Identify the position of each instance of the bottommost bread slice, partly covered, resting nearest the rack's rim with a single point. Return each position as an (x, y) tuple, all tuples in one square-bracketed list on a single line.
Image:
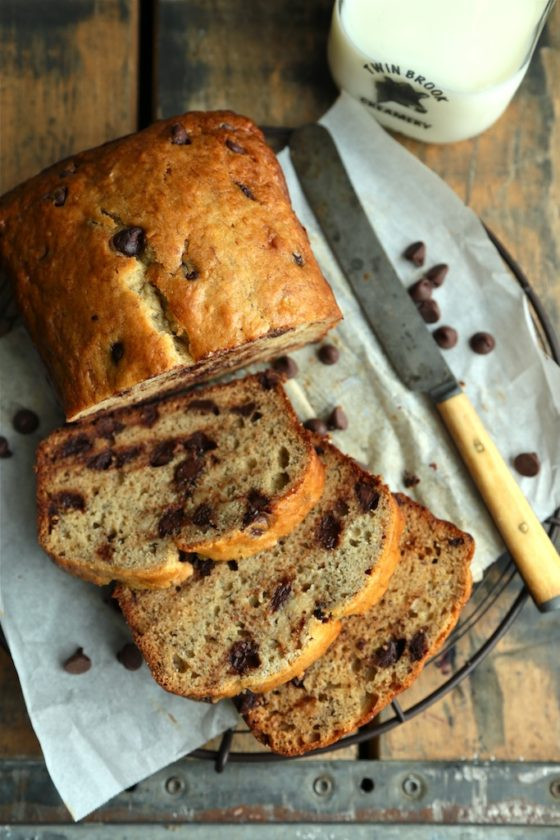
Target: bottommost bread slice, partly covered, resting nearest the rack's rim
[(379, 654)]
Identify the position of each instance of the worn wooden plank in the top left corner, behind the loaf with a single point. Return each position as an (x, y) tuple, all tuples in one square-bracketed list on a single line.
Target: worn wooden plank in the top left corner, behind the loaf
[(69, 79)]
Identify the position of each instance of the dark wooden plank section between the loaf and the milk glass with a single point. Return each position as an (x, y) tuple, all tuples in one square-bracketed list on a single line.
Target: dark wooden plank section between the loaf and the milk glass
[(266, 60)]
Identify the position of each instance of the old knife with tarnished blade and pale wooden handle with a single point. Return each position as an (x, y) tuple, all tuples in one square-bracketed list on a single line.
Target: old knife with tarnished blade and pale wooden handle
[(416, 358)]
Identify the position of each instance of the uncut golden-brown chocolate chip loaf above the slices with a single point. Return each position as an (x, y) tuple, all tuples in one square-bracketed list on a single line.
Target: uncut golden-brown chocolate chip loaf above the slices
[(161, 259)]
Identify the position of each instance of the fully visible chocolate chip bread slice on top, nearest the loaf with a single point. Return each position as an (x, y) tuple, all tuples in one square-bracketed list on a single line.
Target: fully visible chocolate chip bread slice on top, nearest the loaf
[(223, 471)]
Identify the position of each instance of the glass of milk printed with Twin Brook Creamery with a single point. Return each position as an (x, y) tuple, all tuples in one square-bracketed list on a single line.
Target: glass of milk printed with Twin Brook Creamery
[(437, 70)]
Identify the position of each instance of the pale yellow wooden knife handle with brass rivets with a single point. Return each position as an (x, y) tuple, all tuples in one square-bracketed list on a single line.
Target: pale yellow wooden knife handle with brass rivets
[(523, 534)]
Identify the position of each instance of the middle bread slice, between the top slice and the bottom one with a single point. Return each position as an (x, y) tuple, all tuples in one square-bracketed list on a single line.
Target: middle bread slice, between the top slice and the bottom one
[(255, 623)]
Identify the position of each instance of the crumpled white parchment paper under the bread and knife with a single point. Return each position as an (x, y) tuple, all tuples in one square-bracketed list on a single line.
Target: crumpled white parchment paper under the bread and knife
[(105, 730)]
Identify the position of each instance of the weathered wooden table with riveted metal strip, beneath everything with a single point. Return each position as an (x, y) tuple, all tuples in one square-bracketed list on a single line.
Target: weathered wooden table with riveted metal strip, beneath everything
[(76, 73)]
